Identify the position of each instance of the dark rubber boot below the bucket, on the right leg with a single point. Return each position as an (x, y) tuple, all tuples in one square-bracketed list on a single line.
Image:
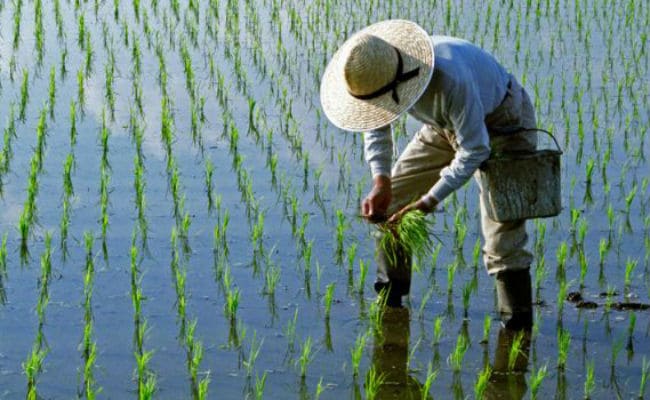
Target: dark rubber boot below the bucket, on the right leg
[(514, 297)]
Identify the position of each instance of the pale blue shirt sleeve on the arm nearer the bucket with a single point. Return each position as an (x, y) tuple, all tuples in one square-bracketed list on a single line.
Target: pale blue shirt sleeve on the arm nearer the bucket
[(466, 116)]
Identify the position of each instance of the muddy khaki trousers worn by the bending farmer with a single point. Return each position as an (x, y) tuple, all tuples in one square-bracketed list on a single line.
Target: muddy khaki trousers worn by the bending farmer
[(418, 169)]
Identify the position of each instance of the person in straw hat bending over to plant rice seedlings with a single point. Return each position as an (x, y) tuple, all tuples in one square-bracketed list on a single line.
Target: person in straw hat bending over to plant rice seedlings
[(467, 103)]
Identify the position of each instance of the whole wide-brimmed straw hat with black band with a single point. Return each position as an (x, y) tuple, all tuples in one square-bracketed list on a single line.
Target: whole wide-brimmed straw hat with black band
[(363, 87)]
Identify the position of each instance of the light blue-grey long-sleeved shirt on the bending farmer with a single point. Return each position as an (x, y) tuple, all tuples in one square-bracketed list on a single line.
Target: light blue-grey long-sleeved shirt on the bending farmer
[(467, 84)]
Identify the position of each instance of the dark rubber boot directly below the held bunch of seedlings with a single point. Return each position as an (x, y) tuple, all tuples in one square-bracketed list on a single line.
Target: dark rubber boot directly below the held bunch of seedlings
[(393, 273)]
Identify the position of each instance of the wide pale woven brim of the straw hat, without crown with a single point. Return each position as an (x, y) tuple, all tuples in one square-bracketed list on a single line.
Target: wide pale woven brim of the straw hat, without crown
[(352, 114)]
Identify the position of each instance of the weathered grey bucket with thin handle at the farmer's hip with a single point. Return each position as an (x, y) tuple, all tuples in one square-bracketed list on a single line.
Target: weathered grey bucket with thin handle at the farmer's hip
[(522, 185)]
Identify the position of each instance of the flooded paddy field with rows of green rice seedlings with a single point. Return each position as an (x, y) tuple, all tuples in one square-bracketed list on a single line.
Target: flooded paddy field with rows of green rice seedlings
[(179, 219)]
